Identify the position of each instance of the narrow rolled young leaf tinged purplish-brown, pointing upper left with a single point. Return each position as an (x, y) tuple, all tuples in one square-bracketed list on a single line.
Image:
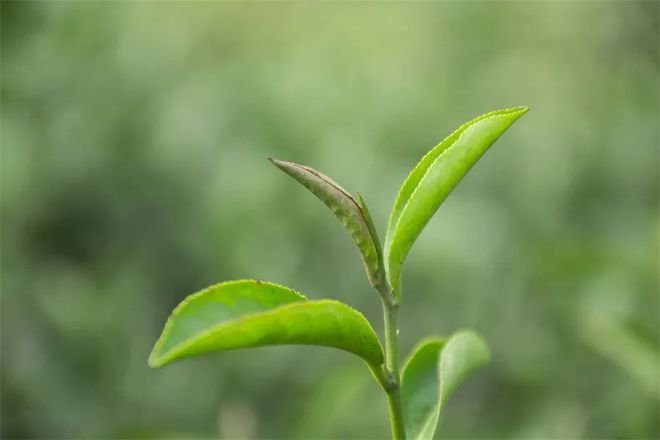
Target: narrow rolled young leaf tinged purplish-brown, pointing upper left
[(346, 208)]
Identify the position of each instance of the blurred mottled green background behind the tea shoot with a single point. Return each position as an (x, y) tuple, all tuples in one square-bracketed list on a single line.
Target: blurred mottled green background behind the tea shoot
[(134, 138)]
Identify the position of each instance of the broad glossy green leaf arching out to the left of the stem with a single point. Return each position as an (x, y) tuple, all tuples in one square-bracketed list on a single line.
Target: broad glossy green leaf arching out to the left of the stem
[(247, 313)]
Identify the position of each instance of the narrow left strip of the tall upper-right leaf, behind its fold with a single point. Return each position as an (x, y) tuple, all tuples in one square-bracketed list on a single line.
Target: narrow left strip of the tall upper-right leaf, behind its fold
[(412, 181)]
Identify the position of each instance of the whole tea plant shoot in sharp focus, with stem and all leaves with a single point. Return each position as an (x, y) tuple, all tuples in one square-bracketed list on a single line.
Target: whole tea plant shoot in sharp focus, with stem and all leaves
[(251, 313)]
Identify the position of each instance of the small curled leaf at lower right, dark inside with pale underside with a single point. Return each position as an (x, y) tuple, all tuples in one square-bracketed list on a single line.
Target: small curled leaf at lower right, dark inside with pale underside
[(434, 370)]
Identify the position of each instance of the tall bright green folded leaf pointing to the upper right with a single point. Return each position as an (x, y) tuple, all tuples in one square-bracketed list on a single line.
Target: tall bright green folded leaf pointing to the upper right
[(434, 177)]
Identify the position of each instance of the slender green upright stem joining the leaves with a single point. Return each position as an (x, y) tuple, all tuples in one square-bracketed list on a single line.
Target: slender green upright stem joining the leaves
[(390, 318)]
